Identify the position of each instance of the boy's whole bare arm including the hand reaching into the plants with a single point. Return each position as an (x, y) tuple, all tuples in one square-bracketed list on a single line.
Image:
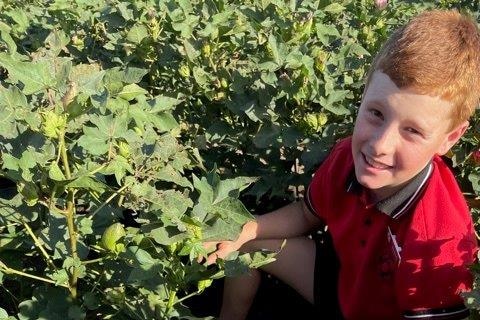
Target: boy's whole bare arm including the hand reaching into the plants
[(290, 221)]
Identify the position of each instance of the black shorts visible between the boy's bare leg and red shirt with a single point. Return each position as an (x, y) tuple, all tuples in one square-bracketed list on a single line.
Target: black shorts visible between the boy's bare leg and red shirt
[(326, 278)]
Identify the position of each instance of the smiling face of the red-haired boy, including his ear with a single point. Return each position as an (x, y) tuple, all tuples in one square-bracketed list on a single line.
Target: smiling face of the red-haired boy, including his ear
[(397, 132)]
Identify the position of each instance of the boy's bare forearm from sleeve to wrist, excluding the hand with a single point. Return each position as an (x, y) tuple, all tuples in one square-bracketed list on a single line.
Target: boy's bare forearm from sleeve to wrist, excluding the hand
[(289, 221)]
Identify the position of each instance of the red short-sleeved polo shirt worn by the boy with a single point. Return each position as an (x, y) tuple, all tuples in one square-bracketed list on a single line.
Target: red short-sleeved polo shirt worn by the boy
[(405, 257)]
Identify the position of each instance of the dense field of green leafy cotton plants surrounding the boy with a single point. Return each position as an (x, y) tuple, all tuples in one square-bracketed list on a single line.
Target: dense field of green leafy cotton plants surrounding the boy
[(132, 131)]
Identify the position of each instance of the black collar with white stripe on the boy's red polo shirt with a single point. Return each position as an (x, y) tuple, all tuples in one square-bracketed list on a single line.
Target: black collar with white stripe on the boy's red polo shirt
[(398, 203)]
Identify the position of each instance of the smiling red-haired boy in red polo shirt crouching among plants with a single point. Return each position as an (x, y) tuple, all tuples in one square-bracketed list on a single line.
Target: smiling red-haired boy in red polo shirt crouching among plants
[(402, 238)]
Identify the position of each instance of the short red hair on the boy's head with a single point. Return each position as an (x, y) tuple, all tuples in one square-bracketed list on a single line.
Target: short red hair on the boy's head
[(436, 53)]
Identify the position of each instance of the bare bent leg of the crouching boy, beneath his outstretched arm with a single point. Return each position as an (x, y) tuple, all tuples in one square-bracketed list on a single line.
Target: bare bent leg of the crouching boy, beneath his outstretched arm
[(294, 266)]
